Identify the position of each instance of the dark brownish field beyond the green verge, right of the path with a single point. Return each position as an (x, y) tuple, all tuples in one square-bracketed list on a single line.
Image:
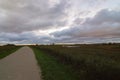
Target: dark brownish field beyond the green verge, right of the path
[(88, 62)]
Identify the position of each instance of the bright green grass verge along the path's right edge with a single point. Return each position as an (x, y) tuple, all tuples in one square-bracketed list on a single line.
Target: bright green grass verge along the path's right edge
[(51, 68)]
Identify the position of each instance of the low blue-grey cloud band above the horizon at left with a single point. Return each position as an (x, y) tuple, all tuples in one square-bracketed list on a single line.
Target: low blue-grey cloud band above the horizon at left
[(25, 37)]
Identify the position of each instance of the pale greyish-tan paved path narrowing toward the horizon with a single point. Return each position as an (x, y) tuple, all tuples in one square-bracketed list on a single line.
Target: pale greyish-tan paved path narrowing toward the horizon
[(20, 65)]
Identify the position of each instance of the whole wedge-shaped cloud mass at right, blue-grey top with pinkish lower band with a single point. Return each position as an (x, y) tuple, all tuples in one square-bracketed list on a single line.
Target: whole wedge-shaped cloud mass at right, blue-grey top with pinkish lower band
[(104, 25)]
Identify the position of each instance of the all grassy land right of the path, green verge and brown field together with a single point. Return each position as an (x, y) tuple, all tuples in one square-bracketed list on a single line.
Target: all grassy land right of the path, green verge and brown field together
[(86, 62)]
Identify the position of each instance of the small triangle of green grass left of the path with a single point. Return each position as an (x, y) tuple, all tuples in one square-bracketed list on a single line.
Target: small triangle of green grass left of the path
[(6, 50)]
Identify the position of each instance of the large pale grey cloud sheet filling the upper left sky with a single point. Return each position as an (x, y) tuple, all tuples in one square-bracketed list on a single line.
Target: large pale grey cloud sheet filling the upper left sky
[(28, 15)]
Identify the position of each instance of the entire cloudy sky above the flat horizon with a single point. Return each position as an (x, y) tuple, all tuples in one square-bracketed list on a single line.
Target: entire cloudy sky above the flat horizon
[(59, 21)]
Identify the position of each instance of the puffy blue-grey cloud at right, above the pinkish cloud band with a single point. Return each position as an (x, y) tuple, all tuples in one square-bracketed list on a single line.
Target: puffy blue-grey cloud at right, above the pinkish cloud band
[(105, 16)]
